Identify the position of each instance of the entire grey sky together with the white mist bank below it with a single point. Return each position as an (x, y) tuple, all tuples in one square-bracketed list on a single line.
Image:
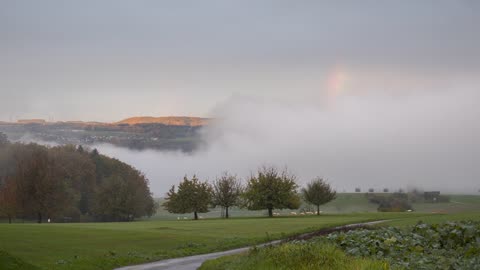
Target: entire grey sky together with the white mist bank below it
[(371, 93)]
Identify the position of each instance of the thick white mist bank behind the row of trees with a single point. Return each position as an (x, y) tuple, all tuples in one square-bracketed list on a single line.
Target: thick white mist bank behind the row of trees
[(427, 140)]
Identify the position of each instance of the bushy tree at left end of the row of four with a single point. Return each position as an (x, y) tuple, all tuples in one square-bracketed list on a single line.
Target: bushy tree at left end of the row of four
[(192, 196)]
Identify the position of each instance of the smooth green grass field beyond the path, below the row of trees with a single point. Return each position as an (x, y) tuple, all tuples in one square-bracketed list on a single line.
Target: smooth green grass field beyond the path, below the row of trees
[(108, 245)]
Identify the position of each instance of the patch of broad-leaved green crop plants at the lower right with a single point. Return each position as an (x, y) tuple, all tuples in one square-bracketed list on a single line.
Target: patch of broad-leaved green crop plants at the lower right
[(452, 245)]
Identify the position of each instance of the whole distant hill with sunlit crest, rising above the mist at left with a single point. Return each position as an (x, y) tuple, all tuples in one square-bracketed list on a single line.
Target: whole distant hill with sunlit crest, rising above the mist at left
[(174, 133)]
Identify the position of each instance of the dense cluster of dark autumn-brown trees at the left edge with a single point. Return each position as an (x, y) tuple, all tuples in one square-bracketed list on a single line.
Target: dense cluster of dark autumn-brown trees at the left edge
[(68, 183)]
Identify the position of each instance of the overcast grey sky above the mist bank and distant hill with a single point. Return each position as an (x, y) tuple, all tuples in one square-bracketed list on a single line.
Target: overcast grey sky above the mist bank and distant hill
[(107, 60)]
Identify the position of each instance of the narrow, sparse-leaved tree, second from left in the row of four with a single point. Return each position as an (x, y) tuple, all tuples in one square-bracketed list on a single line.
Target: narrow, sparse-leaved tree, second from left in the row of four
[(226, 192)]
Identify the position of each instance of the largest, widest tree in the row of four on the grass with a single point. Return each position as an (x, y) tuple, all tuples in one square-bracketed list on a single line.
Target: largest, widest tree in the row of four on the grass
[(271, 189)]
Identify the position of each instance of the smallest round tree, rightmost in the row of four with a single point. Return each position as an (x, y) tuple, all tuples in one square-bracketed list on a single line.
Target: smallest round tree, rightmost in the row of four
[(318, 192)]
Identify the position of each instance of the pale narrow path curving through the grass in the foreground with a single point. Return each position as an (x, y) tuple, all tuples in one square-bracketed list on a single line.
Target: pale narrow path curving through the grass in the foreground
[(194, 262)]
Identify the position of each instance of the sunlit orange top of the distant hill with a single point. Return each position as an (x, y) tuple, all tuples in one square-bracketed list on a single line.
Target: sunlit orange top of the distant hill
[(169, 121)]
